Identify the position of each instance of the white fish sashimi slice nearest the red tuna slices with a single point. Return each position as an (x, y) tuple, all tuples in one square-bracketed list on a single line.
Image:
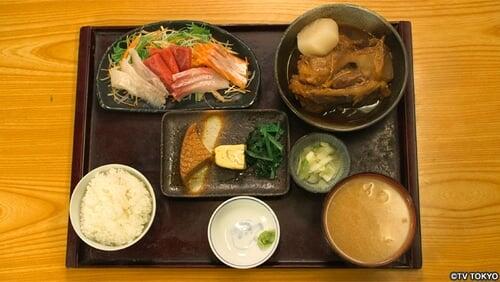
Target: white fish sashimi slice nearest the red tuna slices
[(145, 90)]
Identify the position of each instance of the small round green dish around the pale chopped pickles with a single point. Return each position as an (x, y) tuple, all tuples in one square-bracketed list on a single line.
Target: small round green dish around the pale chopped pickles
[(314, 138)]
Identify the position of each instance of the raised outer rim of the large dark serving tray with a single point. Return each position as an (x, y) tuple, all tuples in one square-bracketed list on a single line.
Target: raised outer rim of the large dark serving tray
[(80, 150)]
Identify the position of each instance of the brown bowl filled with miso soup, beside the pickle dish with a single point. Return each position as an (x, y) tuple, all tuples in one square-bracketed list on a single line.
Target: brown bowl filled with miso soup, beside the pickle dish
[(370, 235)]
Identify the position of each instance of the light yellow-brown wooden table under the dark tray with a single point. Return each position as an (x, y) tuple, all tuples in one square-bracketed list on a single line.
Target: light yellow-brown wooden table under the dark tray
[(457, 79)]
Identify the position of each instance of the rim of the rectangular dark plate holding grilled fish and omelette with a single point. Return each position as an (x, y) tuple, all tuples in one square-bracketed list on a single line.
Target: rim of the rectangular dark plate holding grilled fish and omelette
[(211, 196)]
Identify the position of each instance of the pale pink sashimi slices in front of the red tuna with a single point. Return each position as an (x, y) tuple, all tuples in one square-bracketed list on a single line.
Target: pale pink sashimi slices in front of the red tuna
[(196, 80)]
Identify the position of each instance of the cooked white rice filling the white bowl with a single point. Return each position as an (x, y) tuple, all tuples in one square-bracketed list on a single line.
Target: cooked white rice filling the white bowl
[(115, 208)]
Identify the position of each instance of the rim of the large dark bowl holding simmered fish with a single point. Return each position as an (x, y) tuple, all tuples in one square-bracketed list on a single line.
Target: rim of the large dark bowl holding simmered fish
[(331, 127)]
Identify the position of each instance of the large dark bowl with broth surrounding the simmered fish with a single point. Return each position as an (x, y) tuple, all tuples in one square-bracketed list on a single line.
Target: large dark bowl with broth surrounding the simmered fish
[(287, 55)]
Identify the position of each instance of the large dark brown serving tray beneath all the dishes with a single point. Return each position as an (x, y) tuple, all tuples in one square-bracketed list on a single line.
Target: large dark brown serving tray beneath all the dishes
[(178, 236)]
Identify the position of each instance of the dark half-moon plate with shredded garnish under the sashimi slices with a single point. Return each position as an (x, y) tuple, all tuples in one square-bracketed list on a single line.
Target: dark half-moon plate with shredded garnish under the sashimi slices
[(231, 97)]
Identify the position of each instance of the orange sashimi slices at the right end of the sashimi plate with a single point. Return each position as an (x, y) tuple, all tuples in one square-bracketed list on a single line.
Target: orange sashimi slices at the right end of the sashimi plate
[(223, 62)]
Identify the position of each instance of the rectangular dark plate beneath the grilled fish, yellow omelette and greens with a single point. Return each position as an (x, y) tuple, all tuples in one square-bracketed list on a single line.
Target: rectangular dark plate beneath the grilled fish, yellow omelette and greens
[(237, 124)]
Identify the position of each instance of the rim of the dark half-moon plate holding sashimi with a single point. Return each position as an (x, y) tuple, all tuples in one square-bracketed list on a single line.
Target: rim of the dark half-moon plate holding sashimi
[(158, 110)]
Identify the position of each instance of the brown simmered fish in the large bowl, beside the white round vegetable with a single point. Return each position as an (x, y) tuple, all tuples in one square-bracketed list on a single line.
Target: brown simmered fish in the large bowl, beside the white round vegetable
[(357, 67)]
